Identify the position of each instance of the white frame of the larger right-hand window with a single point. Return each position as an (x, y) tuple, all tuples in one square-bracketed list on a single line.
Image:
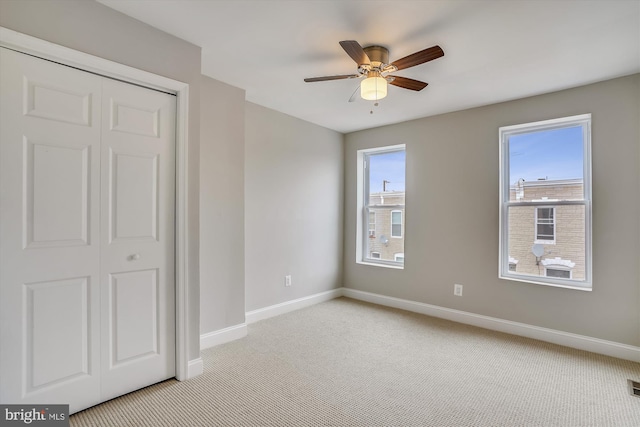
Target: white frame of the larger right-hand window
[(584, 121)]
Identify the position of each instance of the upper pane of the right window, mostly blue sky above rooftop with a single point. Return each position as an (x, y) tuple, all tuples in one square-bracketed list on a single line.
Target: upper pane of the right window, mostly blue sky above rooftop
[(540, 162)]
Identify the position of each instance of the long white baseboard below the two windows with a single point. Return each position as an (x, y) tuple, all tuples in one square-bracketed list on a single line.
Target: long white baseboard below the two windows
[(580, 342)]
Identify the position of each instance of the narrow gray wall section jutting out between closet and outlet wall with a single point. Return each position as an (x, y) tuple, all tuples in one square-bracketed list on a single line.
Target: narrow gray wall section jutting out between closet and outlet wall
[(221, 206)]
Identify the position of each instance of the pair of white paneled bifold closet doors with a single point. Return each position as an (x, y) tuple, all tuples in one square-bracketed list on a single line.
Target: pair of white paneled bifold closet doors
[(86, 235)]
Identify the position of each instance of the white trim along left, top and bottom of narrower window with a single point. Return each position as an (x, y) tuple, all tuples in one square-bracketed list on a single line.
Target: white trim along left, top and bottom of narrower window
[(362, 224)]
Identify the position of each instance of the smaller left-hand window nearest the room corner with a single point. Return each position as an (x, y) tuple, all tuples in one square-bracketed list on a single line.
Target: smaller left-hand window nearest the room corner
[(381, 199)]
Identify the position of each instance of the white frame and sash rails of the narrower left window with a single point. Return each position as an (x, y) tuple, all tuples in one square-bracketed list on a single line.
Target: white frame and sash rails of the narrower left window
[(362, 217)]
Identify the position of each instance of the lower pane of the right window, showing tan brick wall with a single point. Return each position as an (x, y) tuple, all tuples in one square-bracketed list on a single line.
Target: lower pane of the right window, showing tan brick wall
[(567, 250)]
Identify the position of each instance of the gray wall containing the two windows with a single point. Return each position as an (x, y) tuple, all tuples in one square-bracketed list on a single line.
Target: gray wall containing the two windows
[(452, 214)]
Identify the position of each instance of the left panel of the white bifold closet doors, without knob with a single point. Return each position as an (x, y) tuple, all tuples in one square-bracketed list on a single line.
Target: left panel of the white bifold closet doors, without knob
[(49, 232)]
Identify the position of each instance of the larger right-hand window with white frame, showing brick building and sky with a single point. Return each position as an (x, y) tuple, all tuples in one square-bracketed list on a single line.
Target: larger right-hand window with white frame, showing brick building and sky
[(545, 202)]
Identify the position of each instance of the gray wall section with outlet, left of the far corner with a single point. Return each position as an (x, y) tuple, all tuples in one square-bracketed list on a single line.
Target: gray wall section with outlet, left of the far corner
[(293, 207)]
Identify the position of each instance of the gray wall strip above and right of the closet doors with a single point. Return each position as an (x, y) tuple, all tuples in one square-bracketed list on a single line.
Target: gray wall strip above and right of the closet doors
[(92, 28)]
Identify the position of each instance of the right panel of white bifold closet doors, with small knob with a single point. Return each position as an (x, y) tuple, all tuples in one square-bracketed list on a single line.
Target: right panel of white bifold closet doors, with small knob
[(137, 266)]
